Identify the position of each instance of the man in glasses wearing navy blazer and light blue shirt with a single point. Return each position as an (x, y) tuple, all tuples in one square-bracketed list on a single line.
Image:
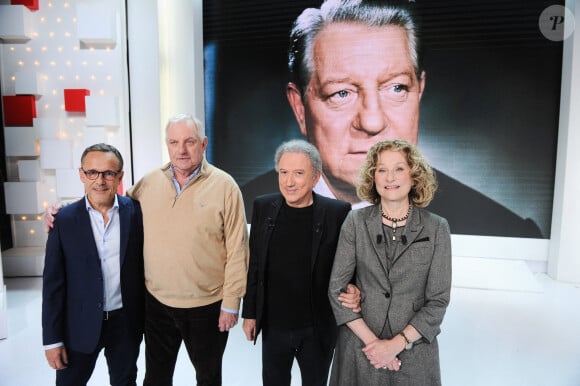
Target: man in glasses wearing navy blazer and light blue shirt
[(93, 281)]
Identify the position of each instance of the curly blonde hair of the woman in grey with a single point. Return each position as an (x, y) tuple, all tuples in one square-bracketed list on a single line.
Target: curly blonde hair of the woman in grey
[(424, 181)]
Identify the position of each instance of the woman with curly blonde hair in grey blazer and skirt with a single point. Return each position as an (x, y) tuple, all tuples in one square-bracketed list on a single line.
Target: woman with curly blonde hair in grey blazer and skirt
[(400, 255)]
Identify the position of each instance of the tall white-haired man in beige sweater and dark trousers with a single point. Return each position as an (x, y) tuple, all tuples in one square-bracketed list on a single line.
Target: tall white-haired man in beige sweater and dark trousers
[(196, 256)]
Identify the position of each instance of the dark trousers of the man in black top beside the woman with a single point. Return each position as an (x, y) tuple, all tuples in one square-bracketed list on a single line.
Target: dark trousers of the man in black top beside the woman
[(280, 347)]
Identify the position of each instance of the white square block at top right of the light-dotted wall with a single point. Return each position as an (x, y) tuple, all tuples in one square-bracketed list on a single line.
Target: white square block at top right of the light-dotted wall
[(96, 26)]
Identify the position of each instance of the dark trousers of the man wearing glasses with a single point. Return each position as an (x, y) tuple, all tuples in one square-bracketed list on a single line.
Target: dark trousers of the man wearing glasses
[(121, 351)]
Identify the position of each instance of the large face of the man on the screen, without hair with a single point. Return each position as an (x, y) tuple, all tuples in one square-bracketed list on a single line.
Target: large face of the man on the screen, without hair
[(363, 89)]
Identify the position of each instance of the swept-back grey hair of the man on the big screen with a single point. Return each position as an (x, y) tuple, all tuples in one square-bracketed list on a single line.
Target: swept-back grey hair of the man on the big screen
[(366, 12)]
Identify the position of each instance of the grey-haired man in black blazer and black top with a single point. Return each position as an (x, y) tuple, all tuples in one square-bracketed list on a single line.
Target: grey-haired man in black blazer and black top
[(293, 240)]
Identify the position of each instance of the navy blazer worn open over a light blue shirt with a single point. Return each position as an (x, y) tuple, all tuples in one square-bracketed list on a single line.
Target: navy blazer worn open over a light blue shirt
[(72, 293)]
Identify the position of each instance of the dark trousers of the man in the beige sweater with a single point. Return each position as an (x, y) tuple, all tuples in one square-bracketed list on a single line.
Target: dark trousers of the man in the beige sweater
[(165, 329)]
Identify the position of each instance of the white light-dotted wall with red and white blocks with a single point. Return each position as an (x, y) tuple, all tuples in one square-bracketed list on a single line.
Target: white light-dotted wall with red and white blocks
[(63, 66)]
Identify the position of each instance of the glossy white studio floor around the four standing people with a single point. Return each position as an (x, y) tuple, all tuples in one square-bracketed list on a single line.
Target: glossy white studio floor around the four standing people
[(497, 332)]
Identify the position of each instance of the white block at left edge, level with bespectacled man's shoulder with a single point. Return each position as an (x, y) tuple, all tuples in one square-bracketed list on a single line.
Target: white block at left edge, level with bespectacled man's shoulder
[(23, 197)]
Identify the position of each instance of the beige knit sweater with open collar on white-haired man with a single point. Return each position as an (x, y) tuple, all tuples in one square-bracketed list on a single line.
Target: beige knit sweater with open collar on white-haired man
[(196, 243)]
